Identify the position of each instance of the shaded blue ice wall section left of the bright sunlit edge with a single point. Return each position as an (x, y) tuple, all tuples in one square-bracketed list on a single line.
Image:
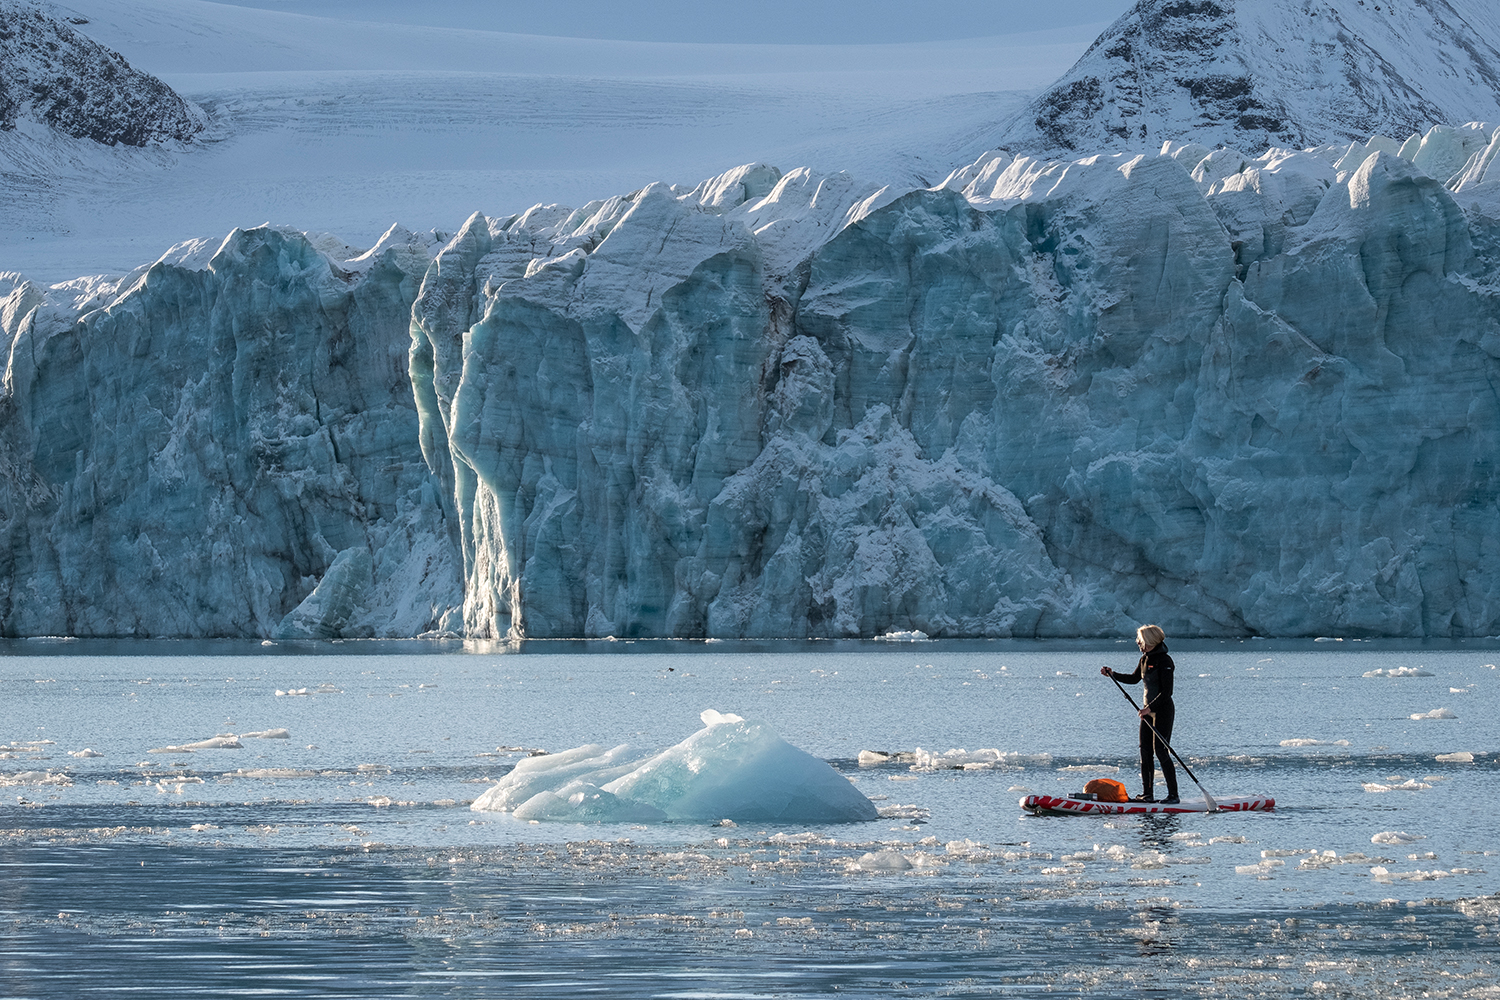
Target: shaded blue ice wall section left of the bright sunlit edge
[(221, 445)]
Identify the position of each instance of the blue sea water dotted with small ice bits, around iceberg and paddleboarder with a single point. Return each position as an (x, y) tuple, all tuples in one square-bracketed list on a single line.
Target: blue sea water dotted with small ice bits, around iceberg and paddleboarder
[(341, 860)]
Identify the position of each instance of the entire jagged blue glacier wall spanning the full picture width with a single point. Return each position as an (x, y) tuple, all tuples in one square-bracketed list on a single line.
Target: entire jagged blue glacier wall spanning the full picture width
[(1229, 395)]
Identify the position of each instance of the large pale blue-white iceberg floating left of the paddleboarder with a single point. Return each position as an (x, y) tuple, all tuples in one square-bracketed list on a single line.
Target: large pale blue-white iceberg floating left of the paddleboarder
[(731, 770)]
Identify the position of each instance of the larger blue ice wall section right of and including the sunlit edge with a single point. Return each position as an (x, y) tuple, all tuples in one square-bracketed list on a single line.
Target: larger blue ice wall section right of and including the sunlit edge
[(1231, 395)]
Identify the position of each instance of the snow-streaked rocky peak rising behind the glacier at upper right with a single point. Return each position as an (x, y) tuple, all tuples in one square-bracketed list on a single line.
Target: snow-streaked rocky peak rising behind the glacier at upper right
[(1270, 73)]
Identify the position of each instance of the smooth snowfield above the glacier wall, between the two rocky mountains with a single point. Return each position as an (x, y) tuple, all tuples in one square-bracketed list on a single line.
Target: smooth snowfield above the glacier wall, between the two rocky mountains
[(350, 127)]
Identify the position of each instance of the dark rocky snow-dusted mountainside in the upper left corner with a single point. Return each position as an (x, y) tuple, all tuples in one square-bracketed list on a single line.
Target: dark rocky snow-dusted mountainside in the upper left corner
[(53, 76)]
